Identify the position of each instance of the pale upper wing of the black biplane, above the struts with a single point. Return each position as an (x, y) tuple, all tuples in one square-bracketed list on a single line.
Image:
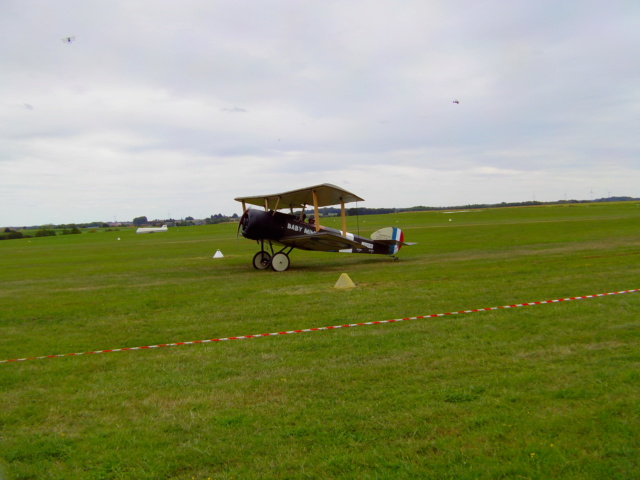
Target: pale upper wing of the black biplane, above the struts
[(327, 195)]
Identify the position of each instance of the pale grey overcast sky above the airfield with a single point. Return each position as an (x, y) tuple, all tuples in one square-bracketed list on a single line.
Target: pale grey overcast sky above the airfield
[(174, 108)]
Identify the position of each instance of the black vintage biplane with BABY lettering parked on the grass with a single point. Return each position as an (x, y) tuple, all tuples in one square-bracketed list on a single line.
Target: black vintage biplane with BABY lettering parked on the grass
[(269, 227)]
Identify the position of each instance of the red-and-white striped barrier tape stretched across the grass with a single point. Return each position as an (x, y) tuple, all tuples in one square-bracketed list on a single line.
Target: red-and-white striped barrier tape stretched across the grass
[(316, 329)]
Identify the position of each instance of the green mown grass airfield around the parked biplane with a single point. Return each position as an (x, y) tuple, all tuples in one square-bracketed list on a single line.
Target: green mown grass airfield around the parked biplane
[(548, 391)]
